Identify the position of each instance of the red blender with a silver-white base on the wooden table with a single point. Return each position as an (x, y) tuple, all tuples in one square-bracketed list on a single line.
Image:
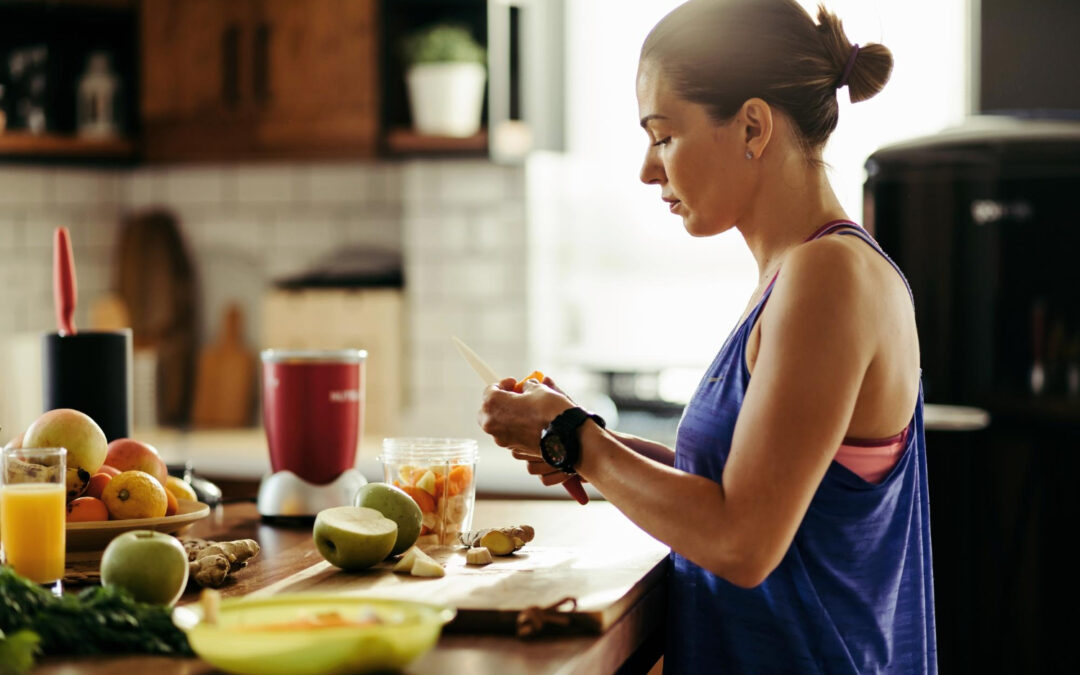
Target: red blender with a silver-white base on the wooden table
[(313, 411)]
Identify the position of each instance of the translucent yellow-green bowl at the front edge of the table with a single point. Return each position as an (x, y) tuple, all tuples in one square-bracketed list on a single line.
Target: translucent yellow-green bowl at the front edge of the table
[(237, 644)]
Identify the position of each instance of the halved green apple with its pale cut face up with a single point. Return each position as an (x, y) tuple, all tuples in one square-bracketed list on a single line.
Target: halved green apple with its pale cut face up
[(354, 538)]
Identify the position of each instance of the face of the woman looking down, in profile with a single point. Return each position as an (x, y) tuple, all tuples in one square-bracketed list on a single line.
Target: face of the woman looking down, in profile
[(701, 167)]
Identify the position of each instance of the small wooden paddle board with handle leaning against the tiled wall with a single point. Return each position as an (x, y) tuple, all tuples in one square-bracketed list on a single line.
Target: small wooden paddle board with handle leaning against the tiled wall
[(225, 381)]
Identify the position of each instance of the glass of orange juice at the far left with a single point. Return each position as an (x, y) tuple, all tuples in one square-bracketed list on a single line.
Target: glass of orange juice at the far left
[(33, 512)]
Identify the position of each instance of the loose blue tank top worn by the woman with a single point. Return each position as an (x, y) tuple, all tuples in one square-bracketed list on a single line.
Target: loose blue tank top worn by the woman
[(855, 591)]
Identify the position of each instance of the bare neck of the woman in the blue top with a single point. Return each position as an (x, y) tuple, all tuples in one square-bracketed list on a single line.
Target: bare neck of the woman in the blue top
[(793, 201)]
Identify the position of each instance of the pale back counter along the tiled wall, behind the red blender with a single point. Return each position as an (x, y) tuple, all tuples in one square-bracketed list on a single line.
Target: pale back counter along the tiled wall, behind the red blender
[(241, 456)]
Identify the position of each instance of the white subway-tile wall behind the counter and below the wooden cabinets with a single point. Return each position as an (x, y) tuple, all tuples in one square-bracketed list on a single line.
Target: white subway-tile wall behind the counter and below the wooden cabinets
[(461, 226)]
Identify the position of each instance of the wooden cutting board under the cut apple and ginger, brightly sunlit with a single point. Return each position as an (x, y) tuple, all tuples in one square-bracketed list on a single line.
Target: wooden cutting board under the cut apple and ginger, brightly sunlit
[(617, 566)]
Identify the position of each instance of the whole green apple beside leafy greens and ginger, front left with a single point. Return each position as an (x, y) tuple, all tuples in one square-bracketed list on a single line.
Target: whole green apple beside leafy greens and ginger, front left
[(153, 566)]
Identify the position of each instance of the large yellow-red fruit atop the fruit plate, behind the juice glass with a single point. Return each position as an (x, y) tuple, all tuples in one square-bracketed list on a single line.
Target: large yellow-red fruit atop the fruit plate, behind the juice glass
[(83, 438)]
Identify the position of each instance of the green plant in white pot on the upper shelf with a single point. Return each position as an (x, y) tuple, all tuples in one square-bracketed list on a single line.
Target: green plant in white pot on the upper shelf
[(445, 77)]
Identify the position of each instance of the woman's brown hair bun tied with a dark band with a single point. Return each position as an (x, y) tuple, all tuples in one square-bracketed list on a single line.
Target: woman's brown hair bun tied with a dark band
[(871, 69)]
